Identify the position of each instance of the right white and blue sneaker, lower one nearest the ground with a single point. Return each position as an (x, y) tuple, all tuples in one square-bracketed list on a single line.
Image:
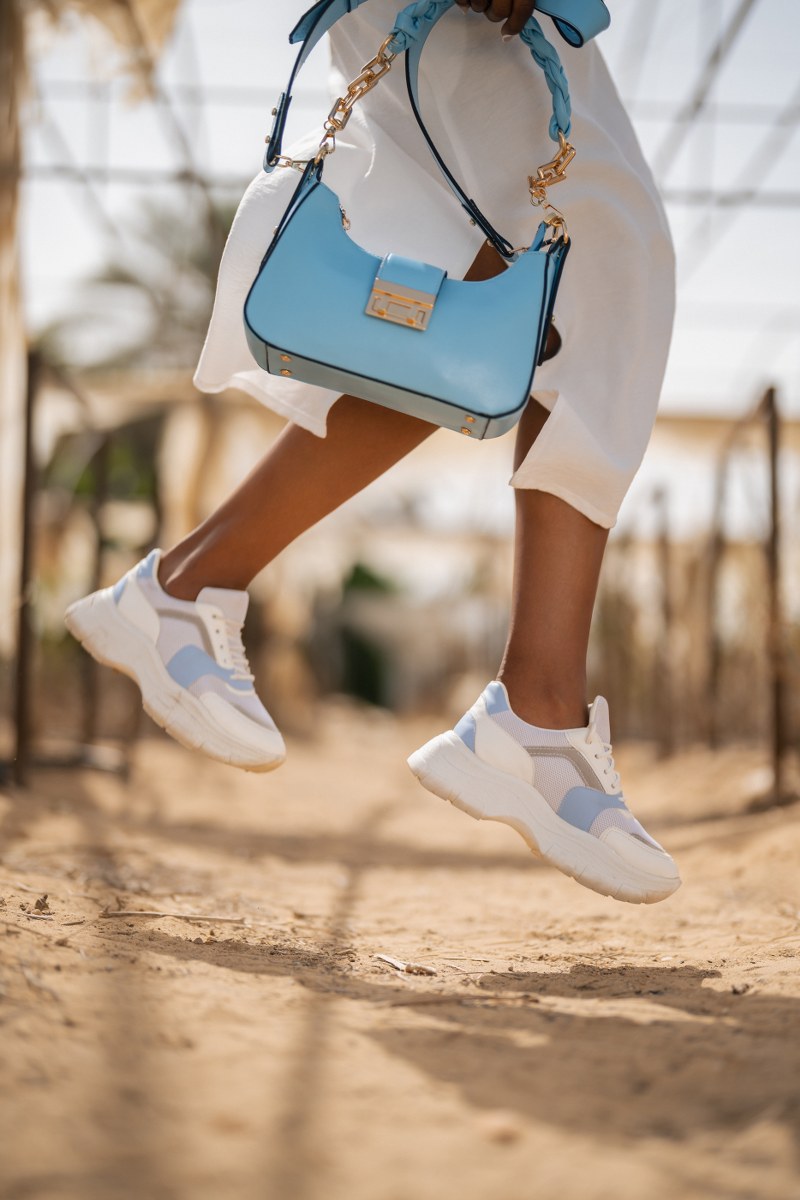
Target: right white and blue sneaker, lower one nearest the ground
[(557, 788)]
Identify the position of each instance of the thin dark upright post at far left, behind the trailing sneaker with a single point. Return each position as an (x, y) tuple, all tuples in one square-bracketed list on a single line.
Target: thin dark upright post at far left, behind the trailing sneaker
[(25, 626)]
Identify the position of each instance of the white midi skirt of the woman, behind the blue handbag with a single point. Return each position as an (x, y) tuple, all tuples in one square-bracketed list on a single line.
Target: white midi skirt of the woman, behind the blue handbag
[(488, 107)]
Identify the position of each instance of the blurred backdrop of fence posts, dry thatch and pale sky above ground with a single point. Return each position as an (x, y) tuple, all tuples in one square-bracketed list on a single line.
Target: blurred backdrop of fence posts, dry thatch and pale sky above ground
[(130, 134)]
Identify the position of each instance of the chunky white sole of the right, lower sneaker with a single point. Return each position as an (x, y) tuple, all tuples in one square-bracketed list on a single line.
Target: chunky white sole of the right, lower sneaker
[(450, 770)]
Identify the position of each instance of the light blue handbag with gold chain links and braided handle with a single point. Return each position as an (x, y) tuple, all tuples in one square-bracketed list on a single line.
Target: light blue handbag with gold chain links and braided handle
[(394, 331)]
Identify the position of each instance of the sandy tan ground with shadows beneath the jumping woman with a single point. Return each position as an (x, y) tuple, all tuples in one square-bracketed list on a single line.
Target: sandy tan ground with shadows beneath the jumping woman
[(568, 1046)]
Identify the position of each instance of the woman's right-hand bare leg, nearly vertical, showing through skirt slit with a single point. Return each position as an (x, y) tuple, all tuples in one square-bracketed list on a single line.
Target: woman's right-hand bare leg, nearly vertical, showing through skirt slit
[(558, 555)]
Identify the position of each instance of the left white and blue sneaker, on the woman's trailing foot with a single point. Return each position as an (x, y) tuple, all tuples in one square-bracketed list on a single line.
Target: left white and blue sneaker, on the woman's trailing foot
[(188, 658)]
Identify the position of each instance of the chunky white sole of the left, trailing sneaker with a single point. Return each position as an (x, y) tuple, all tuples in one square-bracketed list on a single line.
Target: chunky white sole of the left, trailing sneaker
[(115, 641)]
